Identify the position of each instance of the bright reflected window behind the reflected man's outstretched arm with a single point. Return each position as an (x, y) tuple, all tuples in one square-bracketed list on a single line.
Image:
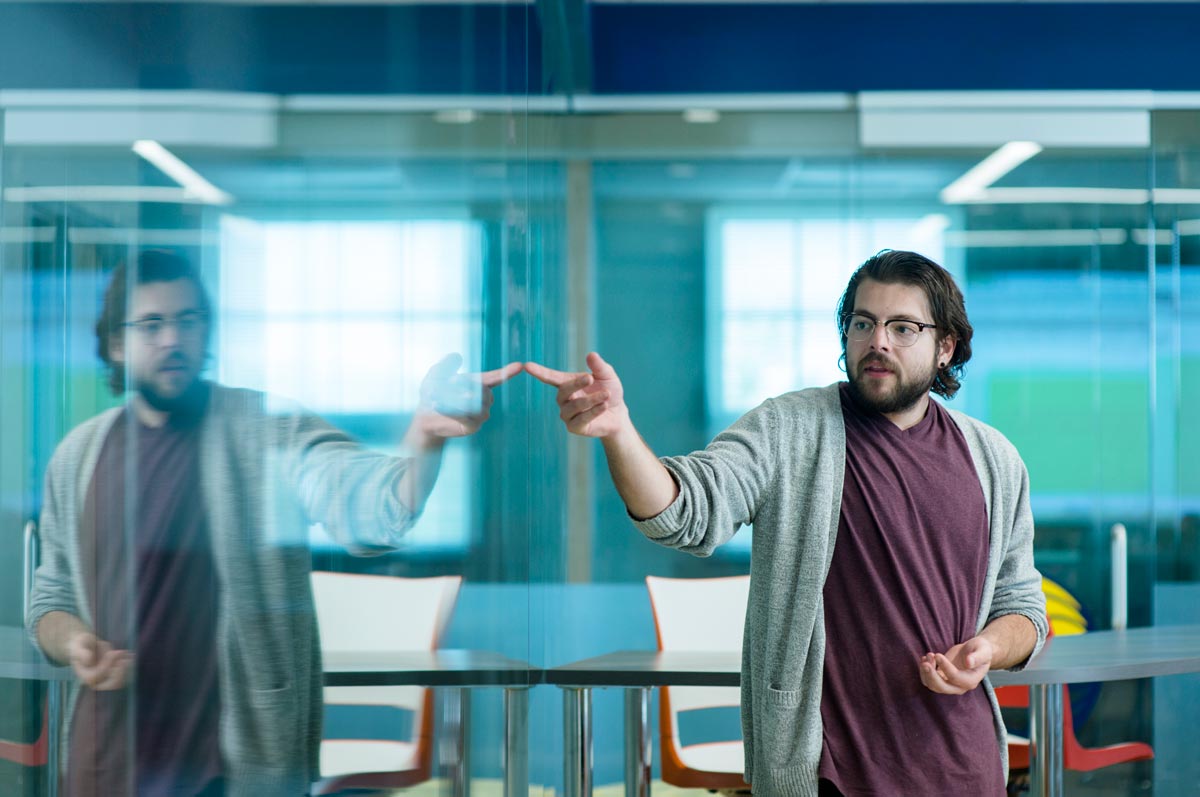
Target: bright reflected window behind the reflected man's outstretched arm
[(347, 317)]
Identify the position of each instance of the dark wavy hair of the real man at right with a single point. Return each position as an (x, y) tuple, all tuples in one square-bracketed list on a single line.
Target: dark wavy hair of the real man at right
[(895, 267)]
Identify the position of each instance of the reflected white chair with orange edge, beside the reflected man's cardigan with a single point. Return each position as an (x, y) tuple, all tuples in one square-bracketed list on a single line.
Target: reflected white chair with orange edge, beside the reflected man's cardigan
[(365, 614)]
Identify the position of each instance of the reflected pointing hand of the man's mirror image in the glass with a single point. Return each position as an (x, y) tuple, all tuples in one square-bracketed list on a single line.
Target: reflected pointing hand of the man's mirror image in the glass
[(458, 405)]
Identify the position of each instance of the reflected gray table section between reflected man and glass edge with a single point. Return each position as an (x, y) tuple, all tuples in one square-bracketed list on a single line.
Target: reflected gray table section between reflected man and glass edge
[(457, 672)]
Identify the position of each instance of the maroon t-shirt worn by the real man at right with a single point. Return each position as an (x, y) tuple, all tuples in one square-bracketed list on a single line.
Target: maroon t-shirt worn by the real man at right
[(907, 579)]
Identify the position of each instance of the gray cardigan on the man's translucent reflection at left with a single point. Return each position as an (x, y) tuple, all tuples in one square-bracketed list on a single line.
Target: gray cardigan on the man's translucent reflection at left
[(267, 474)]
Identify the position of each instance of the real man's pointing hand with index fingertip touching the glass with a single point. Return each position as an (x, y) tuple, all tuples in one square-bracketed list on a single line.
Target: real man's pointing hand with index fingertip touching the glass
[(591, 404)]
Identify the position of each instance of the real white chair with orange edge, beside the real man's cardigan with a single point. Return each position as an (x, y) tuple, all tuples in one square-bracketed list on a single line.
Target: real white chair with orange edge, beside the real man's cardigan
[(699, 615)]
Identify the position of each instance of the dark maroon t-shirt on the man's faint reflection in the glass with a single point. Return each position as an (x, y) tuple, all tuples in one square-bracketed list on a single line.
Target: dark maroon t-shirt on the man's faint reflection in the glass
[(153, 589)]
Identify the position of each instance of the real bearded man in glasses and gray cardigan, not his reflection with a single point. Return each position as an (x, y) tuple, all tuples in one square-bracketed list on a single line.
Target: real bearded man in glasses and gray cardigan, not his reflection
[(892, 564)]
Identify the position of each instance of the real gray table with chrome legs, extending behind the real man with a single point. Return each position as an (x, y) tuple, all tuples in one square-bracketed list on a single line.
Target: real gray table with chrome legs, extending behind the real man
[(1097, 656)]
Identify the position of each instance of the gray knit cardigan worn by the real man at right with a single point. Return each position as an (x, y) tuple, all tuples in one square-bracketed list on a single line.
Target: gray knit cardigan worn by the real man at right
[(782, 468)]
